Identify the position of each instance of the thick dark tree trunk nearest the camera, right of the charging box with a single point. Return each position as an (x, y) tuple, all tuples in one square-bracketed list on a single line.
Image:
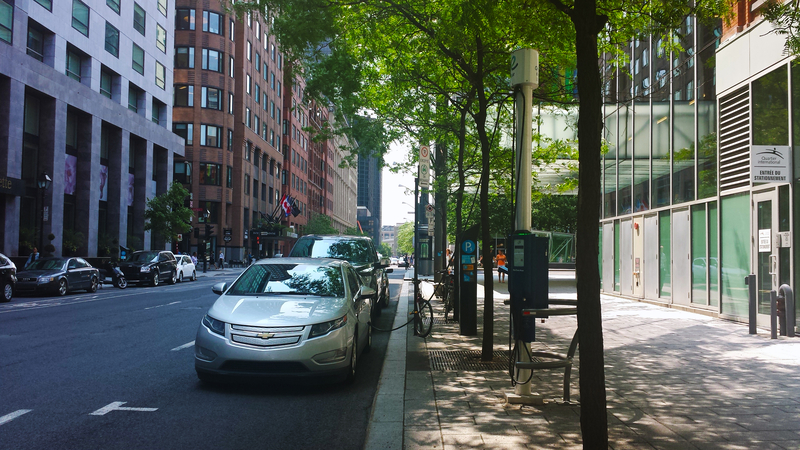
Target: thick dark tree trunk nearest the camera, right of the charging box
[(594, 421)]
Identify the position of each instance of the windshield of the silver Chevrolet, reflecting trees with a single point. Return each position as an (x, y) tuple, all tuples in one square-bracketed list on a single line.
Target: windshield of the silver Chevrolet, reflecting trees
[(293, 279)]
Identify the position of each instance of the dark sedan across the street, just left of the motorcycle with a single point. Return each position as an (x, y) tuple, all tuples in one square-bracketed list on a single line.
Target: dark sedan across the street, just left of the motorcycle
[(57, 275)]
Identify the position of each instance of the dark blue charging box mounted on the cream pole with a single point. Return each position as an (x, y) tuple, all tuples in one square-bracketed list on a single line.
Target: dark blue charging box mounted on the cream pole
[(528, 265)]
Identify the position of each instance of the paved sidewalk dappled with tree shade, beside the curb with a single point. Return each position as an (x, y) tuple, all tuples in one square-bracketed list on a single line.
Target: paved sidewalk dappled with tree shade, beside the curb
[(674, 380)]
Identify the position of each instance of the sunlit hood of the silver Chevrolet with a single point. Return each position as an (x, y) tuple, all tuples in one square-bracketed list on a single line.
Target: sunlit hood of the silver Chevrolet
[(277, 310)]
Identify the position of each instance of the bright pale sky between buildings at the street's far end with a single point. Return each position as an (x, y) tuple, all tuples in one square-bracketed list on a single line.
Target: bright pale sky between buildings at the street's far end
[(393, 211)]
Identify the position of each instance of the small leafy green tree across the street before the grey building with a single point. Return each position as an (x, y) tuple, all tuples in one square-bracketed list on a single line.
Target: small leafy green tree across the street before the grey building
[(166, 216)]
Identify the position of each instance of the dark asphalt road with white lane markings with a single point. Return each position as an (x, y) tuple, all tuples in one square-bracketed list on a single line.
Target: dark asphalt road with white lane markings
[(115, 370)]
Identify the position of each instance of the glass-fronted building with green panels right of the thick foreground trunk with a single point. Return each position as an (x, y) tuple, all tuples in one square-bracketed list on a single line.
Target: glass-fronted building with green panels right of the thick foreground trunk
[(683, 221)]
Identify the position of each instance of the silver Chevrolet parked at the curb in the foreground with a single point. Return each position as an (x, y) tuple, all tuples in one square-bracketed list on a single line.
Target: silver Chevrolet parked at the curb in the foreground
[(287, 317)]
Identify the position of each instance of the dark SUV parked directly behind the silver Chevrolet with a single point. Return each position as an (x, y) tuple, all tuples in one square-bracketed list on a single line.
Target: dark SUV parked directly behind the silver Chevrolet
[(357, 250)]
